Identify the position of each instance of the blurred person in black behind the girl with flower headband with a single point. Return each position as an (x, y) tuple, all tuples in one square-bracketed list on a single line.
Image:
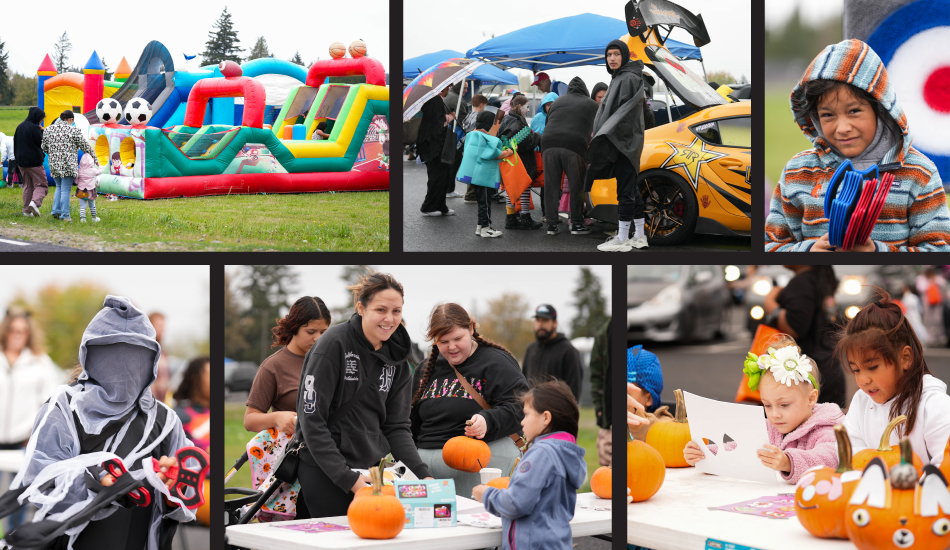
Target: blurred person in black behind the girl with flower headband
[(805, 309)]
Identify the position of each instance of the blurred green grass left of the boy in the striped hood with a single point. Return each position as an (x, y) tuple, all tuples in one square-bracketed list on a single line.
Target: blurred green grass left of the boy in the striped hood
[(783, 137)]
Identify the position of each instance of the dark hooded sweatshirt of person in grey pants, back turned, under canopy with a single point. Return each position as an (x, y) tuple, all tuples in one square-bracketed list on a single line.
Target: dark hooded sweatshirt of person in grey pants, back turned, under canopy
[(570, 120)]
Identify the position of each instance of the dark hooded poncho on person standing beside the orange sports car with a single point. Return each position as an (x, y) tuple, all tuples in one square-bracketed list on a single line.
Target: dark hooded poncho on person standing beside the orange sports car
[(619, 126)]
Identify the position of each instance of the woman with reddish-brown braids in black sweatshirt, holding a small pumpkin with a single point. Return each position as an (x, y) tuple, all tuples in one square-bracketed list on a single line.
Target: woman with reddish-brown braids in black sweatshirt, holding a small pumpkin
[(441, 404)]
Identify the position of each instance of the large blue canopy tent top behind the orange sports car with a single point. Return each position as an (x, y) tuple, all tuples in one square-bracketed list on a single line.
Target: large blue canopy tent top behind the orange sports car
[(566, 42)]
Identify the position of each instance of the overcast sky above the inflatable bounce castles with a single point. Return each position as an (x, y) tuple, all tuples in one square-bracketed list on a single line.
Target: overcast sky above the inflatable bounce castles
[(31, 29)]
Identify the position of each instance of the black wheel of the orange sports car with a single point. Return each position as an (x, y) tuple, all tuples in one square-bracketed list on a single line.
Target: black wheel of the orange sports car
[(669, 206)]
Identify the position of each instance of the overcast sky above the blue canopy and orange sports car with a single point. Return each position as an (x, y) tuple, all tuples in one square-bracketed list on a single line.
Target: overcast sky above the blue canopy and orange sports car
[(430, 27)]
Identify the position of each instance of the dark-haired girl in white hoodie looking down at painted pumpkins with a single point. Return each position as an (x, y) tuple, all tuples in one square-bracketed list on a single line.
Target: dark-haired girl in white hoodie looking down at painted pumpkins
[(887, 360)]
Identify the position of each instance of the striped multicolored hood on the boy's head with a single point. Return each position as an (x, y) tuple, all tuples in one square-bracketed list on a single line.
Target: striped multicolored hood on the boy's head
[(852, 62)]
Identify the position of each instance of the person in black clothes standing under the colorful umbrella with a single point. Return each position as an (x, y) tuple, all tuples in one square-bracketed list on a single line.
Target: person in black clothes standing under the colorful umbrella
[(429, 143)]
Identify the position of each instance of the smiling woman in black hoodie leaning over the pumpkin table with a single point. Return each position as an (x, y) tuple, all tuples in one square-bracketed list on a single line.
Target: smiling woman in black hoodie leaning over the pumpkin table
[(353, 399)]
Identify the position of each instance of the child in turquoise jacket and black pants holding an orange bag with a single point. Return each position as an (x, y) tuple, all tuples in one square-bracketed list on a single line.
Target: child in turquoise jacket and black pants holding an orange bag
[(480, 168)]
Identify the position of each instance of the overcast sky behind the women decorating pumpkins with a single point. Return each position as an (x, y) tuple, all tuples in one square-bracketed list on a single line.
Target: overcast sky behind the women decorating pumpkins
[(468, 286)]
